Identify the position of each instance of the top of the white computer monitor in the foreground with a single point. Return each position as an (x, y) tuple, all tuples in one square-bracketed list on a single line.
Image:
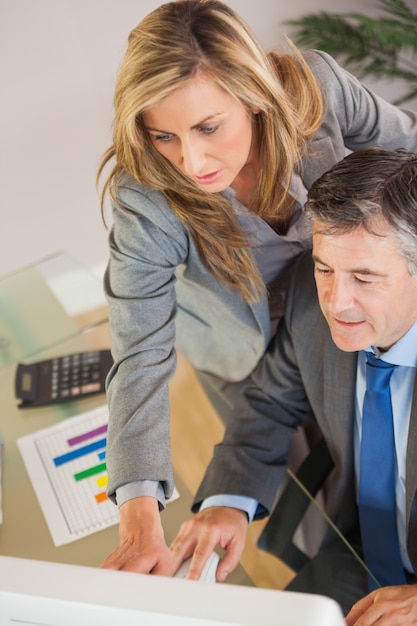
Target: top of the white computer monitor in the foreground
[(38, 592)]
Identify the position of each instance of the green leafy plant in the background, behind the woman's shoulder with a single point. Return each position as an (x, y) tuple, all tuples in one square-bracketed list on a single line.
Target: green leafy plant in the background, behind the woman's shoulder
[(383, 47)]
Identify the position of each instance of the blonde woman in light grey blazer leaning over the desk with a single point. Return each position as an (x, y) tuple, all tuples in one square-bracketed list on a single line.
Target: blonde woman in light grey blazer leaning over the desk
[(215, 145)]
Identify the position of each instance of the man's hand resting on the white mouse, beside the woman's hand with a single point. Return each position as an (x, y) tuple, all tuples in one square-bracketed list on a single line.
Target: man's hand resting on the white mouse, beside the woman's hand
[(198, 536)]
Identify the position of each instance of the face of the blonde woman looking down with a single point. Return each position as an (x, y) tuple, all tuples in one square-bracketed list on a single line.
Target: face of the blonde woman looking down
[(205, 132)]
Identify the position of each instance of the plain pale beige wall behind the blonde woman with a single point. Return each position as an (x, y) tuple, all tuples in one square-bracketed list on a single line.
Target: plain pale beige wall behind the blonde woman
[(58, 60)]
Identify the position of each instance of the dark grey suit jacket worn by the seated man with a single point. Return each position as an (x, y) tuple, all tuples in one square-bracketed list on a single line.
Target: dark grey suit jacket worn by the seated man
[(302, 377)]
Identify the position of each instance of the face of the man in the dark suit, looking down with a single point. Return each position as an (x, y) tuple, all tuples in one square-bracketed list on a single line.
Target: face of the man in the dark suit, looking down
[(365, 290)]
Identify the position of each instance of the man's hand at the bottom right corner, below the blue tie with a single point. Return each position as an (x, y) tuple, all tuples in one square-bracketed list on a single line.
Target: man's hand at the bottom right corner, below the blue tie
[(388, 606)]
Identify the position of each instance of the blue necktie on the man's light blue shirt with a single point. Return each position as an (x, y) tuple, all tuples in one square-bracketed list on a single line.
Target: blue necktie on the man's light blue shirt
[(377, 512)]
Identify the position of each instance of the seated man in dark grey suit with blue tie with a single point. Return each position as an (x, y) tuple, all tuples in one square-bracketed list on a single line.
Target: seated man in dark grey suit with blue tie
[(356, 294)]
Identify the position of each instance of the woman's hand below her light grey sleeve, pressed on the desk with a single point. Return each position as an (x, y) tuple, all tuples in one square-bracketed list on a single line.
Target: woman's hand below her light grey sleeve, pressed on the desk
[(142, 546)]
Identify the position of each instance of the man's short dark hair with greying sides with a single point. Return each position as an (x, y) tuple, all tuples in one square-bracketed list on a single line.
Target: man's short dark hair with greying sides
[(366, 185)]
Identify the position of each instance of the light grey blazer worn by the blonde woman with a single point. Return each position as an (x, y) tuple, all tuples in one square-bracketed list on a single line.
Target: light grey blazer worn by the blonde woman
[(162, 297)]
